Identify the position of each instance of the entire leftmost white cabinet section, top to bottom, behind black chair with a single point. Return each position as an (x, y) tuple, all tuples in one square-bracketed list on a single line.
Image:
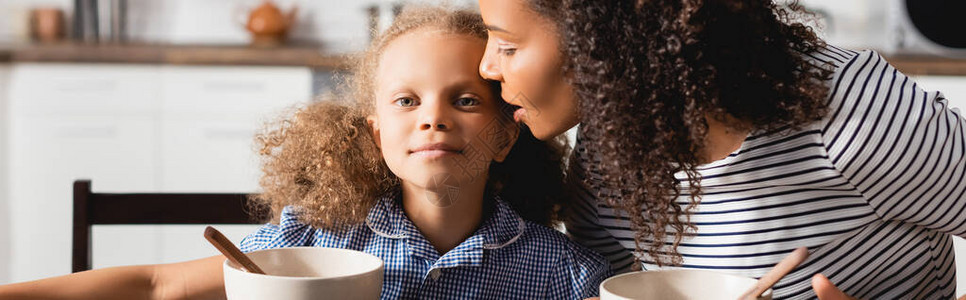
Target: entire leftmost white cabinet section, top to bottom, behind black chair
[(69, 122)]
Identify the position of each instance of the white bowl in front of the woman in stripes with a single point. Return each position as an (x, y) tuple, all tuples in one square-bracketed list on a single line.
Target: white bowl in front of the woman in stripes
[(677, 284)]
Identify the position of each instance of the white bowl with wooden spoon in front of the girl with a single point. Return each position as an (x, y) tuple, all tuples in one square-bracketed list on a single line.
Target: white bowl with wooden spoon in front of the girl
[(306, 273)]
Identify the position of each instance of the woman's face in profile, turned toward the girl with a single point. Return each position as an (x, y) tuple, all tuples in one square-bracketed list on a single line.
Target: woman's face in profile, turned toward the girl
[(523, 54)]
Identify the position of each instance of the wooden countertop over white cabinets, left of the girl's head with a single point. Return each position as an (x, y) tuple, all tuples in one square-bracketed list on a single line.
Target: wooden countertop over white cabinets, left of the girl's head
[(308, 56)]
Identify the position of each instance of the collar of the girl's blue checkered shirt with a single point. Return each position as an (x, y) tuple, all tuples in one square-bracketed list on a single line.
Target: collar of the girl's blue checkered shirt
[(503, 227)]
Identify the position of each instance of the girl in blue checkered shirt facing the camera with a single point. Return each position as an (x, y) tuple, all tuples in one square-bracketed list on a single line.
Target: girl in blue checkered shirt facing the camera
[(410, 174)]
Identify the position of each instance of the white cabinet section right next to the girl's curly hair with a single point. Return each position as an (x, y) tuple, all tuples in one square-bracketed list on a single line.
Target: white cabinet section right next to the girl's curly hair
[(209, 119)]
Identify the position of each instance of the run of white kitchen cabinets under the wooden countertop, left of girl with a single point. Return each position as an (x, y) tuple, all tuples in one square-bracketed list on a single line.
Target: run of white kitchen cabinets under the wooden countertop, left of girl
[(129, 128)]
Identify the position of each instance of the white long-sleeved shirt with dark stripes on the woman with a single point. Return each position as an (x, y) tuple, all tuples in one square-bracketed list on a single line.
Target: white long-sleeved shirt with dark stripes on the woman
[(874, 190)]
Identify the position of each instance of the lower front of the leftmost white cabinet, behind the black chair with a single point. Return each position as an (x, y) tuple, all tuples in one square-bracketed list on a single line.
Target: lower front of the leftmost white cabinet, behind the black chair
[(48, 154)]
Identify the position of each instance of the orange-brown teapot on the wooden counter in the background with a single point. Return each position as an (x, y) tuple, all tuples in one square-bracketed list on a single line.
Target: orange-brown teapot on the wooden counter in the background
[(268, 25)]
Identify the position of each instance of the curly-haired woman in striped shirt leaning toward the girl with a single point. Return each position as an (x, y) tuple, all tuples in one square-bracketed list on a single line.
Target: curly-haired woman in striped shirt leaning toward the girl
[(721, 135)]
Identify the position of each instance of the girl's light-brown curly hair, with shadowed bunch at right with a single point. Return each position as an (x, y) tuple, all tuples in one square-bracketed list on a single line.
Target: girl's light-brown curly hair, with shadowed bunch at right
[(323, 160)]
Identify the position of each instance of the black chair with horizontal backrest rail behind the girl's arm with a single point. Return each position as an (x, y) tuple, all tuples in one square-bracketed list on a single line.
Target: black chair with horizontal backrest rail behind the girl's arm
[(141, 208)]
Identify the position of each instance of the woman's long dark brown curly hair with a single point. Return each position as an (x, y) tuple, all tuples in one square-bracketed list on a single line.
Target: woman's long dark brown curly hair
[(648, 73)]
